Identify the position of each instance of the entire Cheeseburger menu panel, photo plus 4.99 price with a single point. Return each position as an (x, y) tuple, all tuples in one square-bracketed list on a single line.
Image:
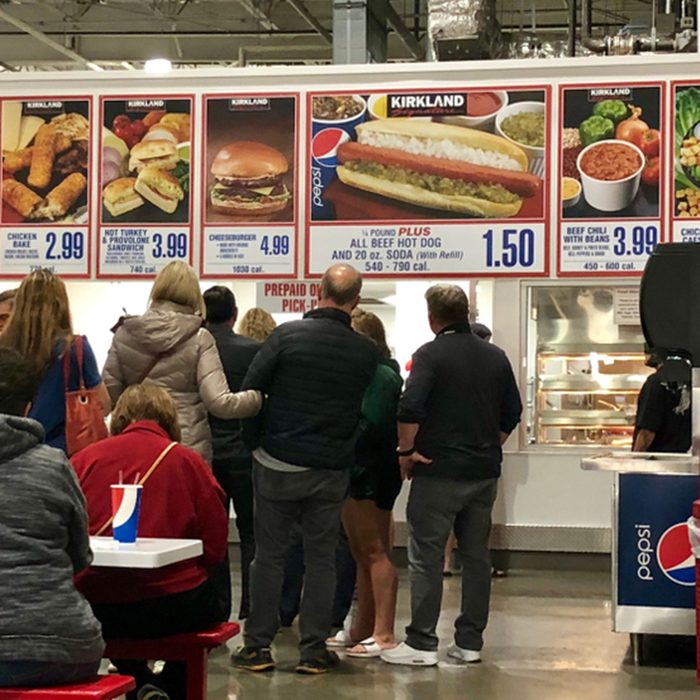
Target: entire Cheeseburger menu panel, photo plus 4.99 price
[(249, 195)]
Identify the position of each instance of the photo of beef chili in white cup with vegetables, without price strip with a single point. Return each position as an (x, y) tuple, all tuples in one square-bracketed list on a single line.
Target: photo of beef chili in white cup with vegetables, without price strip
[(611, 150)]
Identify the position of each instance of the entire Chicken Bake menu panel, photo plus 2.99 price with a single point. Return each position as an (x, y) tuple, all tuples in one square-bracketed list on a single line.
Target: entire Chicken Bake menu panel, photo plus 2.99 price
[(45, 185)]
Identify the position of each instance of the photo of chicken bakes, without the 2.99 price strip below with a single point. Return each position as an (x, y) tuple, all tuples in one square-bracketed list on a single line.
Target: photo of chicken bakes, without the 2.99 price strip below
[(45, 161)]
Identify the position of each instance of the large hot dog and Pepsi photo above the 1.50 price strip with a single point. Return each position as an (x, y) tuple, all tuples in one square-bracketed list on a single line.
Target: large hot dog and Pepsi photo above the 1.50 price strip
[(477, 154)]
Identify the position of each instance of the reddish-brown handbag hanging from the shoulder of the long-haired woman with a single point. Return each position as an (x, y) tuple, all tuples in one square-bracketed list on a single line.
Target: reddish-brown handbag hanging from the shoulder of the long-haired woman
[(85, 422)]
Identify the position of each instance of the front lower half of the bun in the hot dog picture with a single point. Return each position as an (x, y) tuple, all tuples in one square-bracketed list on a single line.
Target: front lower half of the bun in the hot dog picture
[(425, 198)]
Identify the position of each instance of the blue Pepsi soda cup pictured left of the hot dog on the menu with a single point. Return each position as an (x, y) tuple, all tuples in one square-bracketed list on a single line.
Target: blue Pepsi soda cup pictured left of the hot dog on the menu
[(327, 135)]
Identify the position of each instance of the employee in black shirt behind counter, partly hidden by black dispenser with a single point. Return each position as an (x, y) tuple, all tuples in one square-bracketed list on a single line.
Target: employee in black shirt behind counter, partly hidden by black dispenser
[(663, 412)]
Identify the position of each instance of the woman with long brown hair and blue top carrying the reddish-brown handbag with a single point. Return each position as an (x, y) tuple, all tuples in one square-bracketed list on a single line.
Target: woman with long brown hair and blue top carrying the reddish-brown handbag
[(40, 329)]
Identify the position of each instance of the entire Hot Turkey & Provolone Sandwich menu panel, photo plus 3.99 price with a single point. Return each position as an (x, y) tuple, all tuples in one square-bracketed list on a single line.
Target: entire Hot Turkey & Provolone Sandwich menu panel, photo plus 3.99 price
[(145, 209)]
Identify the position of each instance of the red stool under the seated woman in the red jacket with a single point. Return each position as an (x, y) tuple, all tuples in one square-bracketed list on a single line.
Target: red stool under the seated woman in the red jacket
[(192, 648)]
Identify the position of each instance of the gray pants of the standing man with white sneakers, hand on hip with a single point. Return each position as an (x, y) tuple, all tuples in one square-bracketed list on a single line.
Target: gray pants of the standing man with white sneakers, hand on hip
[(435, 507)]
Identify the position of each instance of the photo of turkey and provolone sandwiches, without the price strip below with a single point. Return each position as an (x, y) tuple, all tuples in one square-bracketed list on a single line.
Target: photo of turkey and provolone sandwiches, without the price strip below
[(145, 160)]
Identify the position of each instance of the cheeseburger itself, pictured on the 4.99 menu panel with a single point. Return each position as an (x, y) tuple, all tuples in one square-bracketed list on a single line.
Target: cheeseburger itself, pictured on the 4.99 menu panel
[(248, 180)]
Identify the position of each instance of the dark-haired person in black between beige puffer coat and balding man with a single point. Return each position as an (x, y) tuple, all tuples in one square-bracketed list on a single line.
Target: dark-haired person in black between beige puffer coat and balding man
[(233, 463)]
